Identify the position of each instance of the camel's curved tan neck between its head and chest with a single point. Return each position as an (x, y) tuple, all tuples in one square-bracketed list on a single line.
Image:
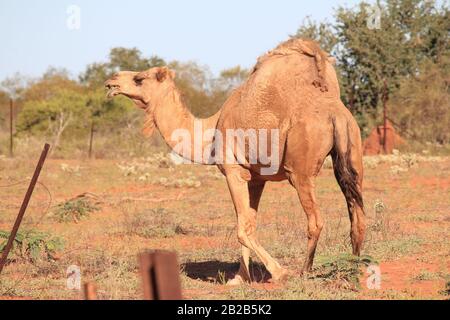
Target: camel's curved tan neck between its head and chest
[(185, 134)]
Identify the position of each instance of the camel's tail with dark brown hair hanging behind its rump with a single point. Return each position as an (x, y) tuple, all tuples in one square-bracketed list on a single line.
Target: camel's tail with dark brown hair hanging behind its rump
[(347, 160)]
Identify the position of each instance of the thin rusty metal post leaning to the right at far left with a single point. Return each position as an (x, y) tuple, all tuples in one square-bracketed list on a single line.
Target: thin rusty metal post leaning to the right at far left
[(23, 208)]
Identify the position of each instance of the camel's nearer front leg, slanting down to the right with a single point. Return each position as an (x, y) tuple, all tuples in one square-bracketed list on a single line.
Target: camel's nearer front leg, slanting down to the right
[(246, 216)]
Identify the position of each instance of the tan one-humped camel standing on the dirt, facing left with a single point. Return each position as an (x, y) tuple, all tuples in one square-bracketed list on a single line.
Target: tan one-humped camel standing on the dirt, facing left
[(289, 92)]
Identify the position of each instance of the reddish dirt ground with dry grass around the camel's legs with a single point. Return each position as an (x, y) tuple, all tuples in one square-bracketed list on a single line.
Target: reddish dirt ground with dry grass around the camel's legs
[(151, 204)]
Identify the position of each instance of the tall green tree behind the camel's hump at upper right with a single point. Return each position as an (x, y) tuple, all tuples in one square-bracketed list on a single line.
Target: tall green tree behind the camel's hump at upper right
[(411, 33)]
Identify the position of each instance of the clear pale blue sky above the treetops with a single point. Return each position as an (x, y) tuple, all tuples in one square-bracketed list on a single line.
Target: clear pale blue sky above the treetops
[(34, 34)]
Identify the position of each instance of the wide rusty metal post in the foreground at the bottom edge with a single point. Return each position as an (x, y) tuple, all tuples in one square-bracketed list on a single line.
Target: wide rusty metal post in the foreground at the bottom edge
[(160, 275)]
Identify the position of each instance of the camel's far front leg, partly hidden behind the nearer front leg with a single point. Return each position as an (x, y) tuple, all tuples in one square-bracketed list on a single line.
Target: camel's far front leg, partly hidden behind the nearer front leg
[(255, 189)]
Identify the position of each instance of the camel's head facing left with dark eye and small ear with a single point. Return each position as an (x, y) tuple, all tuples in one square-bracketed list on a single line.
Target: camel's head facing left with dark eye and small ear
[(142, 87)]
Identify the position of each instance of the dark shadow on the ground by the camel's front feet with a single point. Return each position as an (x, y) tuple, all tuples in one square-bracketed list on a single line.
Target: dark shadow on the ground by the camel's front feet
[(220, 271)]
